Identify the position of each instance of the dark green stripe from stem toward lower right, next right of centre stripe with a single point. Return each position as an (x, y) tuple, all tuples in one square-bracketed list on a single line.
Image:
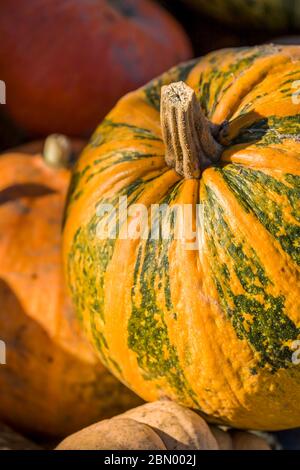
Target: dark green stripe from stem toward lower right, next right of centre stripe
[(256, 315)]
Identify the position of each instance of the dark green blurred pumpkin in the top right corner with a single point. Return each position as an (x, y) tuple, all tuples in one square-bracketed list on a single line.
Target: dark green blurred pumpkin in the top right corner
[(254, 14)]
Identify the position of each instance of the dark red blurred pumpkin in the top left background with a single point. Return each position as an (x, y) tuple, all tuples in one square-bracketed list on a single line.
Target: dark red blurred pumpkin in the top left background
[(65, 63)]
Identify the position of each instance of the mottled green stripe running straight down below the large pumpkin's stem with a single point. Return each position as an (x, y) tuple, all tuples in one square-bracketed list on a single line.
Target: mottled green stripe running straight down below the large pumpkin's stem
[(147, 330)]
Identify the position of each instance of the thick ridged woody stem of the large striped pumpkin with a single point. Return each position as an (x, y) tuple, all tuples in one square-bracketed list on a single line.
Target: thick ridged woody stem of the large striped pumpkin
[(191, 140)]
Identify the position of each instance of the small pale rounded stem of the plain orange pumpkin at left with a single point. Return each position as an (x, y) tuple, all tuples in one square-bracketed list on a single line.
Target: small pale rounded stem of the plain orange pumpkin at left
[(57, 151)]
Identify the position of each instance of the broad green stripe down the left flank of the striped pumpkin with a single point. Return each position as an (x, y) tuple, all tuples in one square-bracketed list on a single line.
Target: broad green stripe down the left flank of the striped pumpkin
[(87, 263)]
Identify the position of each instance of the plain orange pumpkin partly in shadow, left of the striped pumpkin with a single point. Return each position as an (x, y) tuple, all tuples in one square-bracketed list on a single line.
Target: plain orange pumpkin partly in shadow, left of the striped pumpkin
[(52, 382)]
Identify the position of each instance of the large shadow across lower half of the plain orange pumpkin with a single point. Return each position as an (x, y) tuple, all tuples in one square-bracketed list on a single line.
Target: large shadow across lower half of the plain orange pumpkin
[(45, 389)]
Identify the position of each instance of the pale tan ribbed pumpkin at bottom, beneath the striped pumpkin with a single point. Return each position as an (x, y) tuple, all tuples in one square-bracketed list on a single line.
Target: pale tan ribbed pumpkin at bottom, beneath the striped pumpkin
[(162, 425)]
